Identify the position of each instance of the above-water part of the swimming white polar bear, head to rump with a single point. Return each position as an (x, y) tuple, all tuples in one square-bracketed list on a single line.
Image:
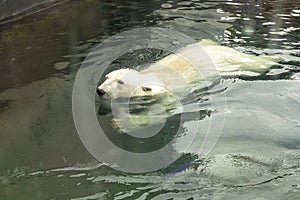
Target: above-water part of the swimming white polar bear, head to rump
[(175, 70)]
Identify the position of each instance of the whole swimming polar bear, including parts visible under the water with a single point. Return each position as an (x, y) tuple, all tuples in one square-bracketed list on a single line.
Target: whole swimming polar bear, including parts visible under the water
[(172, 81)]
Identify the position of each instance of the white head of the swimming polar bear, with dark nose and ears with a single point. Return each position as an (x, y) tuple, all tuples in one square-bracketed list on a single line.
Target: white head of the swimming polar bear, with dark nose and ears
[(126, 83)]
